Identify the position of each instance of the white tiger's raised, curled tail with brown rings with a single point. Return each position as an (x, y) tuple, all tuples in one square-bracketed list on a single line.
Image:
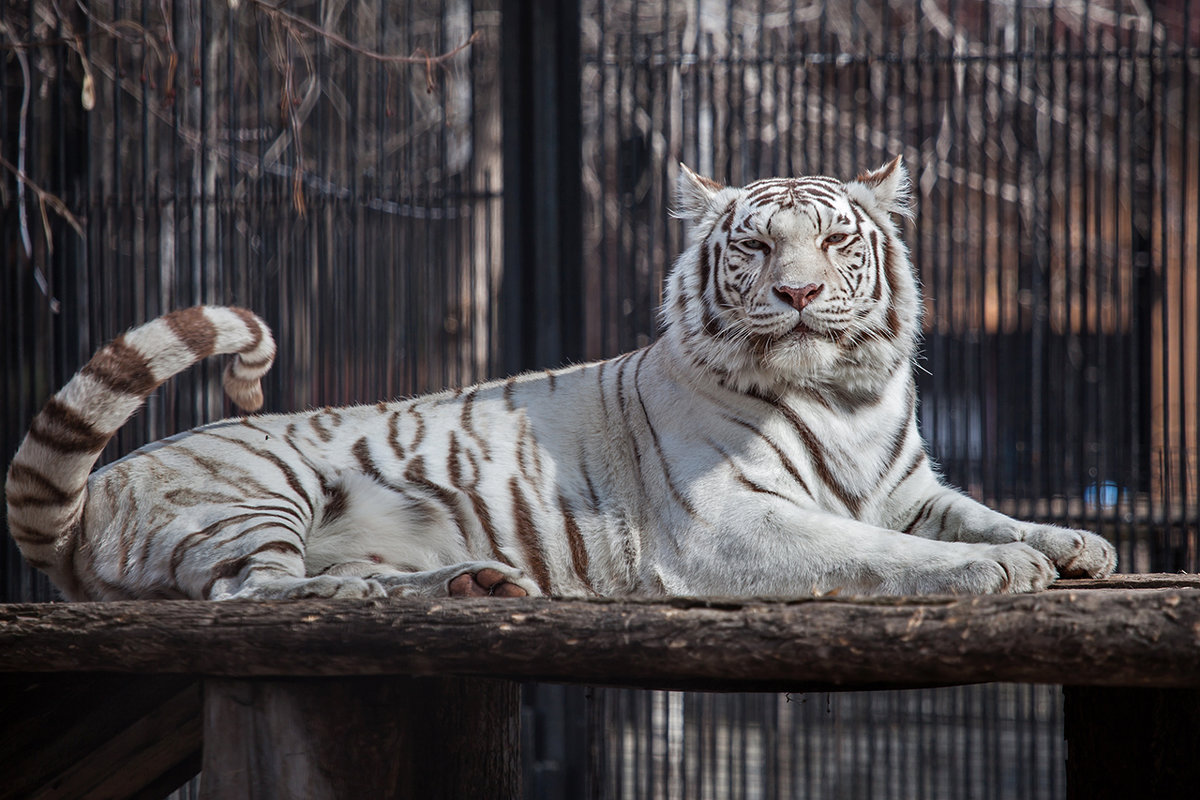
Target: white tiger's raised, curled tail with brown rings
[(47, 484)]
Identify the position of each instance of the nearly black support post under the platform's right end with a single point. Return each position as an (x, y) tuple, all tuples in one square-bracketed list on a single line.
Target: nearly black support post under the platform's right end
[(1132, 743)]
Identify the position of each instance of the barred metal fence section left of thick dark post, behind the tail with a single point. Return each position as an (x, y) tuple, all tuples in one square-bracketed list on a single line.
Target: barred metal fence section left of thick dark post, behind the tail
[(243, 157)]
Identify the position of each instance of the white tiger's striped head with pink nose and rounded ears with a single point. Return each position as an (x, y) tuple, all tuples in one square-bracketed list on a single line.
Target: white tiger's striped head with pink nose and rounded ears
[(795, 282)]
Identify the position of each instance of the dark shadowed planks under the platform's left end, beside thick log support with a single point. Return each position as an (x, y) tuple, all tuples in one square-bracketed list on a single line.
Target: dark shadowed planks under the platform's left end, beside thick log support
[(89, 736)]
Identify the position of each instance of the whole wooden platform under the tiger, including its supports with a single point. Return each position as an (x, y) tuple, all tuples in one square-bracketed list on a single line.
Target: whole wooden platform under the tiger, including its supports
[(371, 696)]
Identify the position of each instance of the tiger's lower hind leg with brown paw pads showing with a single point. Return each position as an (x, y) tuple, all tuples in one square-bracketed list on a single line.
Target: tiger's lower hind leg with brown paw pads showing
[(465, 580)]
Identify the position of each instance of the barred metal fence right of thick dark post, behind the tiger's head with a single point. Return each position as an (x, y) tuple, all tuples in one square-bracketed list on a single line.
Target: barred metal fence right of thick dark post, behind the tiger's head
[(1055, 149)]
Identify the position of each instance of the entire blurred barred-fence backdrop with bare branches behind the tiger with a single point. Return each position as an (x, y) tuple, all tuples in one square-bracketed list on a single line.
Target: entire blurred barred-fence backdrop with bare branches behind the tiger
[(428, 194)]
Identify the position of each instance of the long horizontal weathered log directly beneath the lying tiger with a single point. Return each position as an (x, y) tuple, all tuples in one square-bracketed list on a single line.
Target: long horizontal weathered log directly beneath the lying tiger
[(1094, 636)]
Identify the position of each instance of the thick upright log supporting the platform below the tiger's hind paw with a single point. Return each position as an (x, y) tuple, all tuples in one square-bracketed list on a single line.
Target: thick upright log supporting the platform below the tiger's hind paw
[(326, 739)]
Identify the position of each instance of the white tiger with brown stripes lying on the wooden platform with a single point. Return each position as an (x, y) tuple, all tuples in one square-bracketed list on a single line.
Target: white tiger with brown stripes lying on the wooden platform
[(766, 444)]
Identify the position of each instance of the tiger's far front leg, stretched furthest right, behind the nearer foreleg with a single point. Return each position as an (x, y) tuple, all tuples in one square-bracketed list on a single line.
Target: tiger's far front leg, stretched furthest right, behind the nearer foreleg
[(937, 512)]
